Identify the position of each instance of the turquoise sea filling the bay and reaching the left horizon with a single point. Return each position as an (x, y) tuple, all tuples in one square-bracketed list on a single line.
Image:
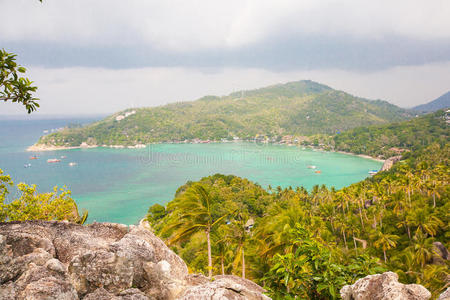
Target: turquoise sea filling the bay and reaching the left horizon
[(118, 185)]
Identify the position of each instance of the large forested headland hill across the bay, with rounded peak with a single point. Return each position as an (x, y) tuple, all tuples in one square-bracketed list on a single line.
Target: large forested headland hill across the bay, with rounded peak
[(295, 108)]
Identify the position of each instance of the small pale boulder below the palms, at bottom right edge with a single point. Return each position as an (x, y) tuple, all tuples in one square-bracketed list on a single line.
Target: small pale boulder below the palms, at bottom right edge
[(383, 286)]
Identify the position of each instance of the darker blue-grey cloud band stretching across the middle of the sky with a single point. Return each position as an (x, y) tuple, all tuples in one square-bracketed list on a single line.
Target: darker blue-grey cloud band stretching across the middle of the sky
[(283, 53)]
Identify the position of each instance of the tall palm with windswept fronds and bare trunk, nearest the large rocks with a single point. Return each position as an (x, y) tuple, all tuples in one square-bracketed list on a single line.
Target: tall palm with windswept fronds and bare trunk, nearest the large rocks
[(192, 212)]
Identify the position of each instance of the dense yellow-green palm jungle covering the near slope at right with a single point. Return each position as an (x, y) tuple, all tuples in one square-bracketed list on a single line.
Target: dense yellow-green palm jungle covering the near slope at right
[(308, 244)]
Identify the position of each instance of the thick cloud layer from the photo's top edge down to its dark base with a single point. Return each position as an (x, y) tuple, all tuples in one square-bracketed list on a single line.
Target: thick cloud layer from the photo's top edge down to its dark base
[(276, 35)]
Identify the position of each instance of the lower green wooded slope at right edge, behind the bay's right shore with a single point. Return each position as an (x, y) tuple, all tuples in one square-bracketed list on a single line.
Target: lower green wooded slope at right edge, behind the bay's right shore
[(396, 138)]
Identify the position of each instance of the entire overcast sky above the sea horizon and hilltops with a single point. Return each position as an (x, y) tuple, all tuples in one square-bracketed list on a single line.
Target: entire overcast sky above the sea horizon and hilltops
[(91, 57)]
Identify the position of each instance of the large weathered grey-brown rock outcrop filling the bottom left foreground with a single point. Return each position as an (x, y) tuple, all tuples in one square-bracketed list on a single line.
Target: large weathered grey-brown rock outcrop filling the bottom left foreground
[(60, 260)]
